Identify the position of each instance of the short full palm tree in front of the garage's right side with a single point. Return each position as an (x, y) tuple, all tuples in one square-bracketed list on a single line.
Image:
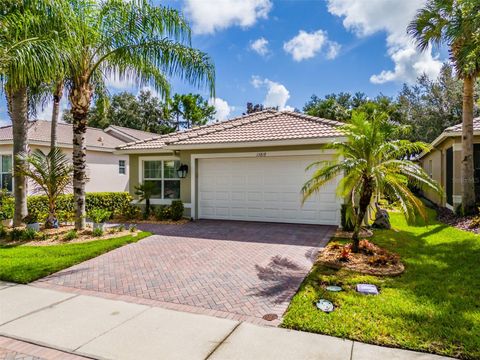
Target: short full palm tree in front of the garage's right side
[(372, 165)]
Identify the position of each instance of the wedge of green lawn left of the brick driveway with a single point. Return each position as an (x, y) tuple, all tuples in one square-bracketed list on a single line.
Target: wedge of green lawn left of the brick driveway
[(23, 264)]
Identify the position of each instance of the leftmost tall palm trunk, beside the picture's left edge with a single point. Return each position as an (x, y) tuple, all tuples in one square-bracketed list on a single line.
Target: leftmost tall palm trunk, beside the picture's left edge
[(18, 109)]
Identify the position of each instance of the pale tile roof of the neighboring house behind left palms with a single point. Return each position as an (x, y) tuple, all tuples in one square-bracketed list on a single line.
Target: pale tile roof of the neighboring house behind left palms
[(39, 131)]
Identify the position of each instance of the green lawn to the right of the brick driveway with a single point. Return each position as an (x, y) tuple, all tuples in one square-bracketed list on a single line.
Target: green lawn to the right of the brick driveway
[(434, 306)]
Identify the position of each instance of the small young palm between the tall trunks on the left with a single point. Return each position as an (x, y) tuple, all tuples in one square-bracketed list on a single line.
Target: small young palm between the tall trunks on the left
[(52, 175)]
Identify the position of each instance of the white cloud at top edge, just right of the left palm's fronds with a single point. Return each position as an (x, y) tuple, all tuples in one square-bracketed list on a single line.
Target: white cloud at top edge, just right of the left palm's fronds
[(207, 16)]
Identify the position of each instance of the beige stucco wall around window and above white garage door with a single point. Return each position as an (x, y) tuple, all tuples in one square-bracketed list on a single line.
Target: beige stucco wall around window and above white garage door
[(185, 158)]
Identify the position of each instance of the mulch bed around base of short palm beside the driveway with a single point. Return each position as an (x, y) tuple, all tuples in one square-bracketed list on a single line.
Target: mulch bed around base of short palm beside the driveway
[(371, 260)]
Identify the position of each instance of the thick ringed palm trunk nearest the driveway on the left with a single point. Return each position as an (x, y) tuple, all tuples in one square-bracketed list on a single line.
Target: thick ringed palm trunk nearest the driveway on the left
[(80, 99)]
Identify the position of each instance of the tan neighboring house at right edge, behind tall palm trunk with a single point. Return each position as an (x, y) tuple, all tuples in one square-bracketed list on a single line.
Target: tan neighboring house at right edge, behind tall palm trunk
[(444, 164)]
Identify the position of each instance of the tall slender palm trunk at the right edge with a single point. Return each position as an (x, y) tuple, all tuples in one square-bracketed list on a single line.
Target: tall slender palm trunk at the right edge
[(468, 181)]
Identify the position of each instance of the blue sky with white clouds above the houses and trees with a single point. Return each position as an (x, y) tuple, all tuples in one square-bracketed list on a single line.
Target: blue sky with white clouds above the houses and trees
[(281, 52)]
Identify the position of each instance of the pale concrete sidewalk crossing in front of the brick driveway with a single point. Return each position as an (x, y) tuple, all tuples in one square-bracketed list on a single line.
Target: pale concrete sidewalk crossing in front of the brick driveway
[(108, 329)]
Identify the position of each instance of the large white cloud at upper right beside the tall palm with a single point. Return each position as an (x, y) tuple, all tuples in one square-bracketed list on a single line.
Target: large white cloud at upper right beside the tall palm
[(392, 17)]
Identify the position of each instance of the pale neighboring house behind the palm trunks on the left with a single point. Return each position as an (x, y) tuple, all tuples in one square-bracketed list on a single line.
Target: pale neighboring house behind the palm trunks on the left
[(106, 170)]
